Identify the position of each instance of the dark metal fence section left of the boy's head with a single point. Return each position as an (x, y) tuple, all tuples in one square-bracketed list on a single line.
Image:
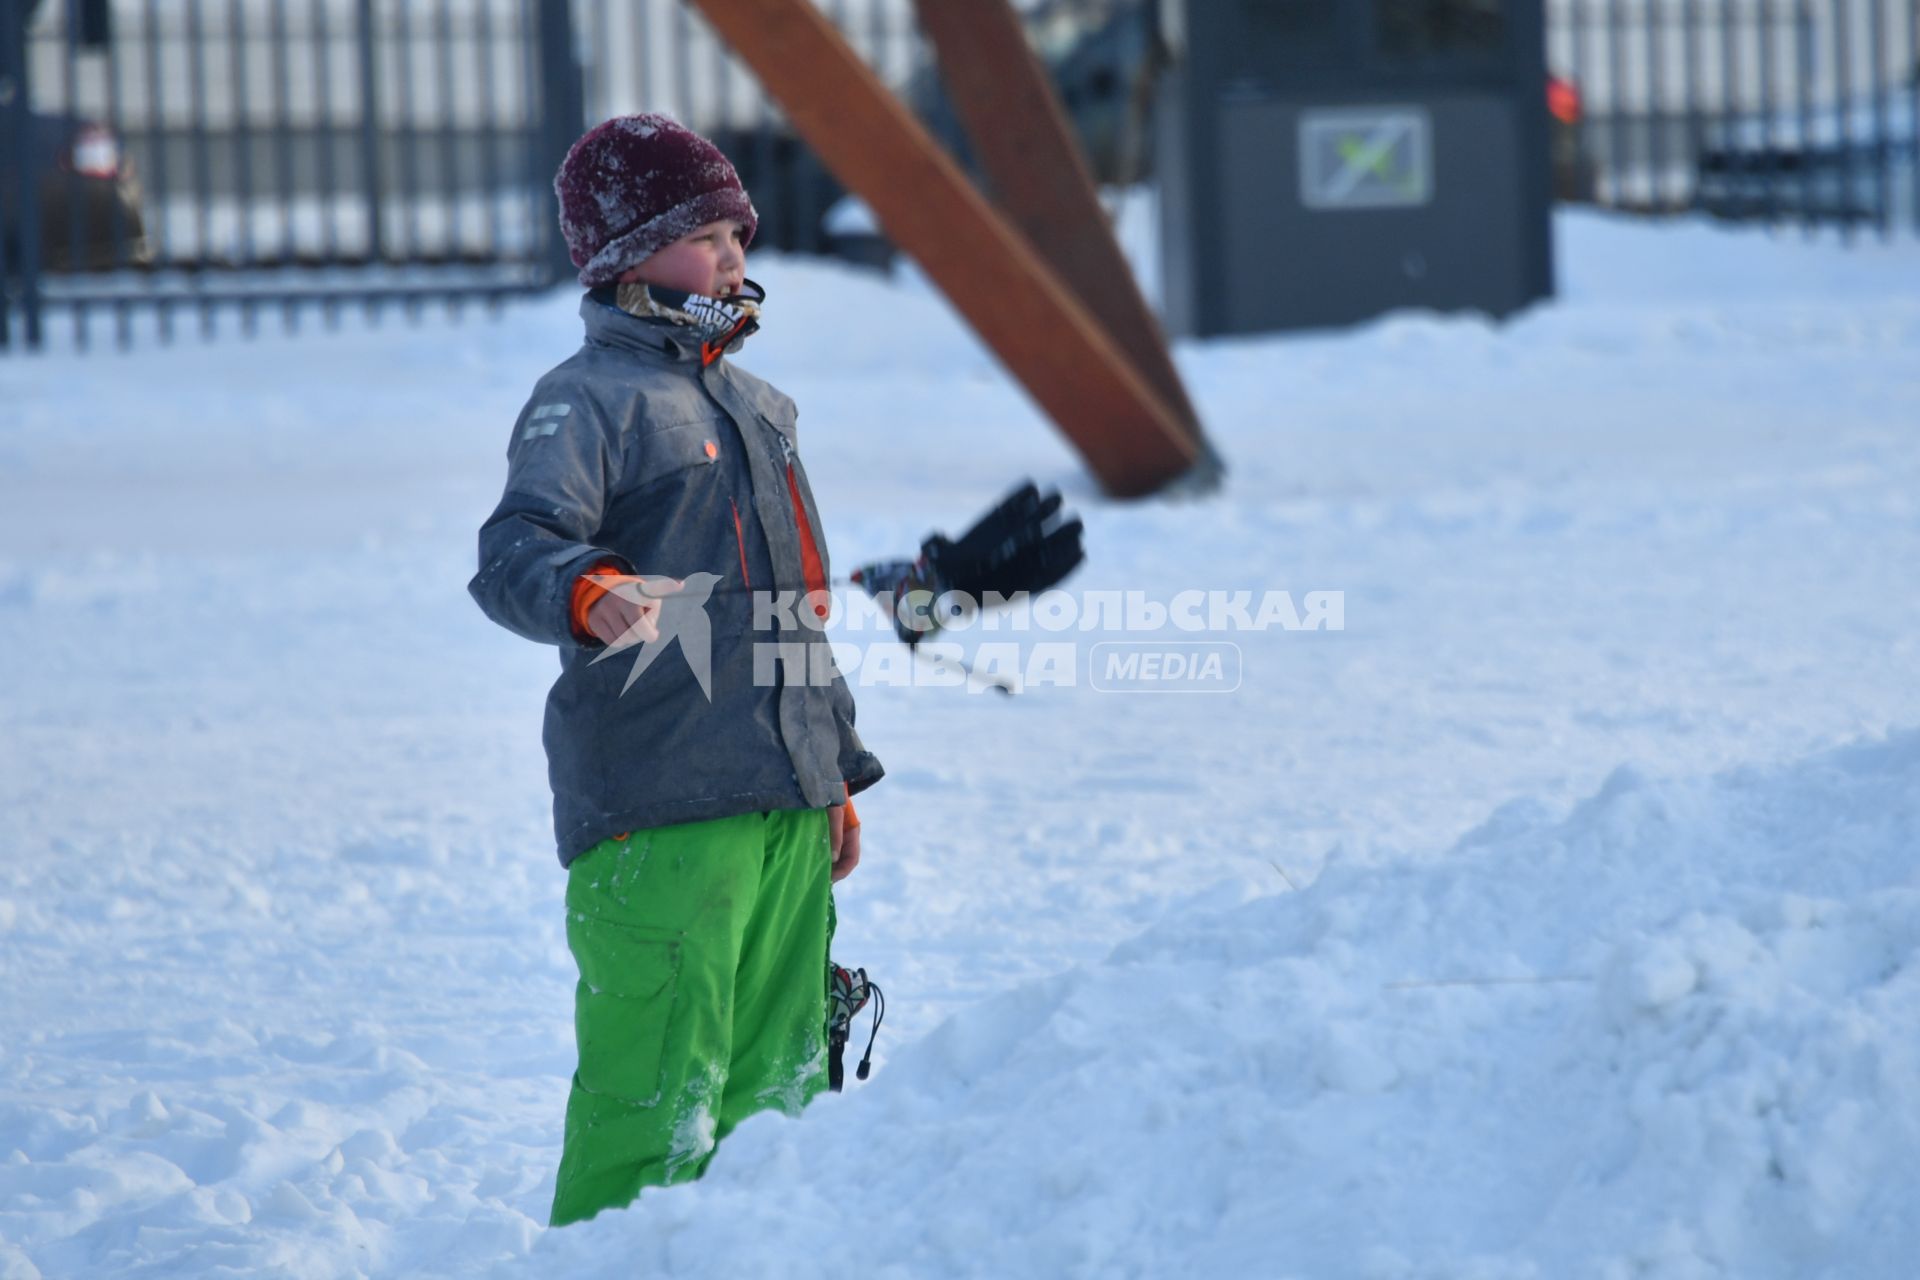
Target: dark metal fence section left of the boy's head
[(251, 156)]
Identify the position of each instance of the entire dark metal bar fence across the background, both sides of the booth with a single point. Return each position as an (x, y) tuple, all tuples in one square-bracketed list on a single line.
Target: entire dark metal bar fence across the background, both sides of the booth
[(245, 158)]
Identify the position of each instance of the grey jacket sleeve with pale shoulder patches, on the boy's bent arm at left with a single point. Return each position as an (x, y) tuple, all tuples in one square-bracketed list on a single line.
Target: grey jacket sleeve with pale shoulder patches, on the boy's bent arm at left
[(562, 463)]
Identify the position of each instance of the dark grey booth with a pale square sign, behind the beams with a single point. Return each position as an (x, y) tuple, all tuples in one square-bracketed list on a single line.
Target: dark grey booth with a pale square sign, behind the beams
[(1322, 162)]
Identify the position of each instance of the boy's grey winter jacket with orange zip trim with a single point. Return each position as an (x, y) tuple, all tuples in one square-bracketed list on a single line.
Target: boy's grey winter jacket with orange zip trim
[(635, 452)]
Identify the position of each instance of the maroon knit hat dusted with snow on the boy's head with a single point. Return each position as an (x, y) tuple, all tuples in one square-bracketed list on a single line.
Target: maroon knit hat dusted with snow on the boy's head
[(635, 185)]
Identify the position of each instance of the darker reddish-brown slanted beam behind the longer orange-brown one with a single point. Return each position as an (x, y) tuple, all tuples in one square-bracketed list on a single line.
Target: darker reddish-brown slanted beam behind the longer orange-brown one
[(1042, 181)]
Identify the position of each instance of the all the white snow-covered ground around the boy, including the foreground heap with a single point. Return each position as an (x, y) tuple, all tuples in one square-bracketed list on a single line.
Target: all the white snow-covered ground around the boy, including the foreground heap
[(1556, 918)]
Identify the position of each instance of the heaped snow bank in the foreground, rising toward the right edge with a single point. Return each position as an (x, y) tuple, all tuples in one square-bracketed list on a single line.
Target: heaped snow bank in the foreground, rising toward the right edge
[(1664, 1035)]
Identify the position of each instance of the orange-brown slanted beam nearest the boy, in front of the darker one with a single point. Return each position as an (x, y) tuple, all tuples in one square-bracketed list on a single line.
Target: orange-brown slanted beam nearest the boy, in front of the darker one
[(988, 270)]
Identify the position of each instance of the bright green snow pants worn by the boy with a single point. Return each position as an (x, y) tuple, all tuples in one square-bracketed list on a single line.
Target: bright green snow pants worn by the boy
[(704, 997)]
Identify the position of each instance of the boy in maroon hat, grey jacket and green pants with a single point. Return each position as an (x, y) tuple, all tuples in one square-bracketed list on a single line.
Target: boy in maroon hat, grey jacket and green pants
[(700, 805)]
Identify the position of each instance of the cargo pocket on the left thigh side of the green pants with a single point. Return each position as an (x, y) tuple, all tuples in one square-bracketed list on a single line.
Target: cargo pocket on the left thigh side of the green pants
[(623, 1007)]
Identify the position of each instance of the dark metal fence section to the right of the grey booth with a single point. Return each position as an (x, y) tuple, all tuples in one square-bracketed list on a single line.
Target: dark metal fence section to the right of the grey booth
[(1777, 110)]
